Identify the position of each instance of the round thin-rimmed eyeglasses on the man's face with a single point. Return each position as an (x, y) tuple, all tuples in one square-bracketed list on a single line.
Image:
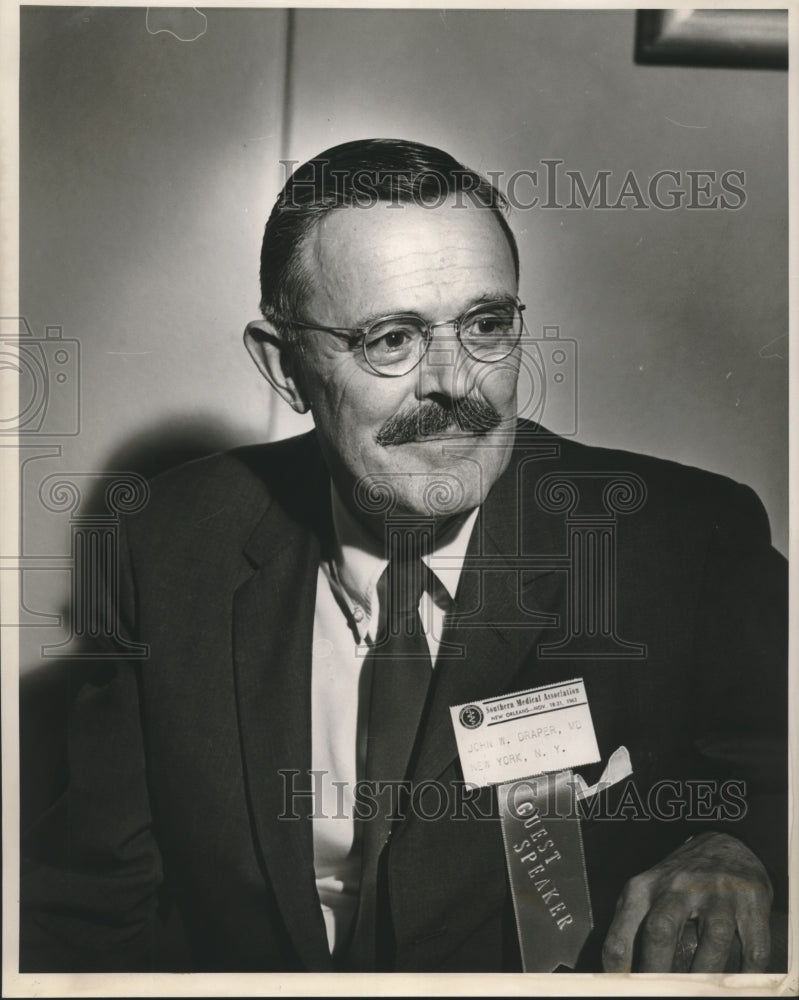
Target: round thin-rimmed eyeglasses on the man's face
[(394, 345)]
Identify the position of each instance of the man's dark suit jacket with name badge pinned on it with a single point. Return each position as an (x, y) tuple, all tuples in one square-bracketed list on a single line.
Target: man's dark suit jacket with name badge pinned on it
[(174, 791)]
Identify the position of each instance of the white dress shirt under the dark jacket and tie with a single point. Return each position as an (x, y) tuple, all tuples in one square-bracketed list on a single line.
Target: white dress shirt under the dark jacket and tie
[(345, 625)]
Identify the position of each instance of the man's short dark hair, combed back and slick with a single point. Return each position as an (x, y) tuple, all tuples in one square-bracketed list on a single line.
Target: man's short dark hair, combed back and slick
[(359, 174)]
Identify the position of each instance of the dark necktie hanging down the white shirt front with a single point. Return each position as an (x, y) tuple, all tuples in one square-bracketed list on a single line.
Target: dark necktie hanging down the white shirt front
[(401, 671)]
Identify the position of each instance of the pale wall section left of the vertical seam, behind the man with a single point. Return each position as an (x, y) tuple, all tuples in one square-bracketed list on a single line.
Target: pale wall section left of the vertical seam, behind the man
[(148, 168)]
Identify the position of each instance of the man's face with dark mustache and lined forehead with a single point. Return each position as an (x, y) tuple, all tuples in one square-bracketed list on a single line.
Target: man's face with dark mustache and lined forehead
[(435, 262)]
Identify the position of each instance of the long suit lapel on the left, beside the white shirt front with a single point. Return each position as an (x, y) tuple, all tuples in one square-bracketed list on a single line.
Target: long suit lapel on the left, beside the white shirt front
[(272, 633)]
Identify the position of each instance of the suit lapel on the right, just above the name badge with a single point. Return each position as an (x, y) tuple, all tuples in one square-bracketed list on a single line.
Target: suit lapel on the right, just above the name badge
[(493, 646)]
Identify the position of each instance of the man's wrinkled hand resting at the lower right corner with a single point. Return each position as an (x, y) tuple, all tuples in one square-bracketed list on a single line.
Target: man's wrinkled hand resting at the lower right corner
[(713, 879)]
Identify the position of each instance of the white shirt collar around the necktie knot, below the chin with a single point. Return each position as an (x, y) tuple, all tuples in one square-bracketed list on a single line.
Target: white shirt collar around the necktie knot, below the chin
[(359, 559)]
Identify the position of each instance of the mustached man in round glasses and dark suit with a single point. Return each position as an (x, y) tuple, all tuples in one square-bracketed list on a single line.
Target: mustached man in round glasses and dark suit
[(314, 608)]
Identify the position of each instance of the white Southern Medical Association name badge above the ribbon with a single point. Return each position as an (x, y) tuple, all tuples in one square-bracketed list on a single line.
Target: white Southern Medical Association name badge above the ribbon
[(524, 734)]
